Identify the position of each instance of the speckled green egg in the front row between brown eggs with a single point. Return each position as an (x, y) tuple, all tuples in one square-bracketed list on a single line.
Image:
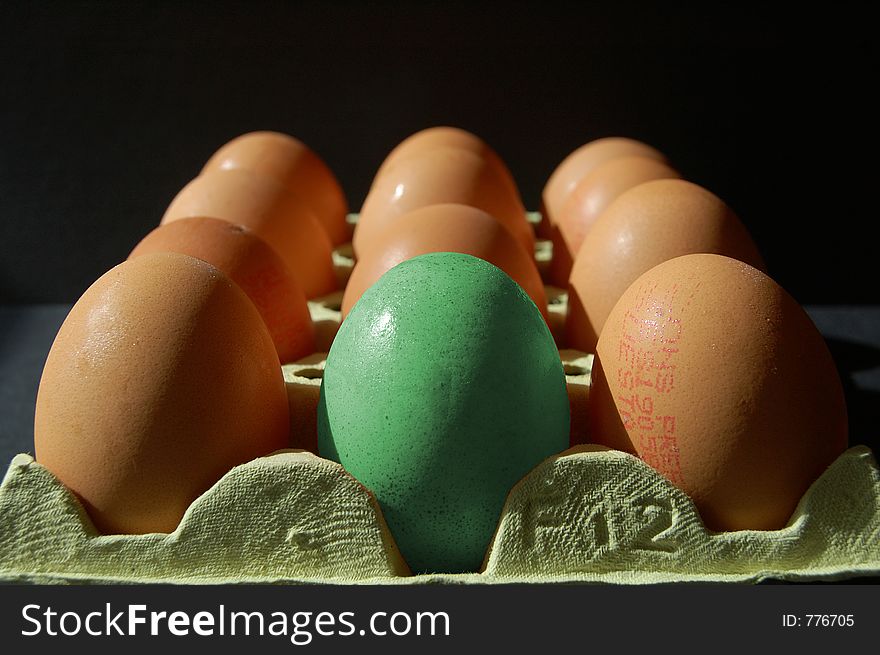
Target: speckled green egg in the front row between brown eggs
[(442, 389)]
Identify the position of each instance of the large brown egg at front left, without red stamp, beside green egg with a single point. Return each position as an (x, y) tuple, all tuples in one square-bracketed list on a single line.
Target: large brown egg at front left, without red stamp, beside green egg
[(161, 379)]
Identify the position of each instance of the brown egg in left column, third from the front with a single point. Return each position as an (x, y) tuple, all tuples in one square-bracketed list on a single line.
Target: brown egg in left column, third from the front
[(279, 218)]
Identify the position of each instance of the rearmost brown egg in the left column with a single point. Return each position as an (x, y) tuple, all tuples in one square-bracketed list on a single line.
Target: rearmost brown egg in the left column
[(293, 164)]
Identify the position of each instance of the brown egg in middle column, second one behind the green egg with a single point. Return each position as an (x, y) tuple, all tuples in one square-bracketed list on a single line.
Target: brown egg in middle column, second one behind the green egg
[(440, 175)]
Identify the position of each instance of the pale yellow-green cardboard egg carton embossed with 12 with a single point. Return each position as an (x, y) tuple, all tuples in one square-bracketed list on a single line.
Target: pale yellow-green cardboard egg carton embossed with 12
[(588, 514)]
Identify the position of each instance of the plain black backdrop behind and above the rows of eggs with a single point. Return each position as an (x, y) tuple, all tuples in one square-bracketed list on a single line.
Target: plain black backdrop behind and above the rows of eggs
[(108, 109)]
